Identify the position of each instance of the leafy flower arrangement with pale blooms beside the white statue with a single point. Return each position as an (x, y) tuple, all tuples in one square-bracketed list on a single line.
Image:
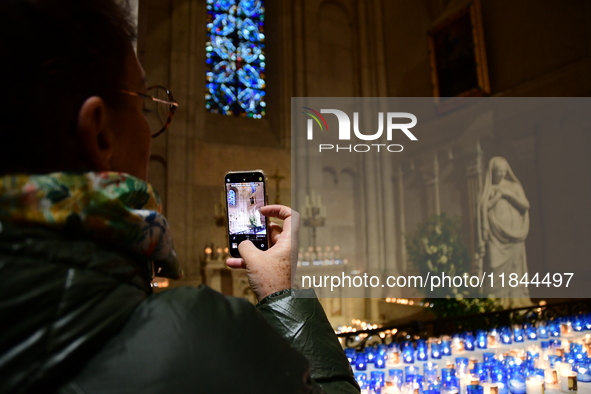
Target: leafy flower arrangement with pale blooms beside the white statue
[(437, 247)]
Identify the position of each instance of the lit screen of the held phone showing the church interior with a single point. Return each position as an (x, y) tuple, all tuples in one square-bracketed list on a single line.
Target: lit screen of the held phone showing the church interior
[(244, 201)]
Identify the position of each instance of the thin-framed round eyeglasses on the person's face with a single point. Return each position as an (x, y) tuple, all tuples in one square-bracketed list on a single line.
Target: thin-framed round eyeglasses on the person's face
[(159, 107)]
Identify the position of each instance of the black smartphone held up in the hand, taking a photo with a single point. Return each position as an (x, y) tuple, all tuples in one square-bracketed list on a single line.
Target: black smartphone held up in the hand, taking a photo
[(246, 194)]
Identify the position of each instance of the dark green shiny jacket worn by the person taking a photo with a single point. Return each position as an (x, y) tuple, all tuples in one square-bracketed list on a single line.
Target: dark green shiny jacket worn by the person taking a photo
[(78, 316)]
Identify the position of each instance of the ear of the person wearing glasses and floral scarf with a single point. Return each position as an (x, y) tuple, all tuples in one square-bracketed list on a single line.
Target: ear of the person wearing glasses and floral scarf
[(95, 135)]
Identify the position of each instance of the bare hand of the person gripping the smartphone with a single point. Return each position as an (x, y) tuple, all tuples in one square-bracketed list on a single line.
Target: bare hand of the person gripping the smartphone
[(270, 271)]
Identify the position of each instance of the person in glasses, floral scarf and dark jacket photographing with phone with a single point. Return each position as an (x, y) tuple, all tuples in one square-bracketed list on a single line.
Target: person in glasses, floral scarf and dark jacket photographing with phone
[(81, 235)]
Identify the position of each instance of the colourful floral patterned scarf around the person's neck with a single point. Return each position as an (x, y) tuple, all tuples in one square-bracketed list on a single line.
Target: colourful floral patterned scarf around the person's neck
[(110, 207)]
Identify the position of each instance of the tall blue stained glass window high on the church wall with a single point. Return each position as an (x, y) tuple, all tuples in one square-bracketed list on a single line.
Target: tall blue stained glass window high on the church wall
[(235, 57)]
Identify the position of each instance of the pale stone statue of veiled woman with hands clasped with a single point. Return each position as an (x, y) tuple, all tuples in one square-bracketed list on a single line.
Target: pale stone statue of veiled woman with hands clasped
[(503, 224)]
